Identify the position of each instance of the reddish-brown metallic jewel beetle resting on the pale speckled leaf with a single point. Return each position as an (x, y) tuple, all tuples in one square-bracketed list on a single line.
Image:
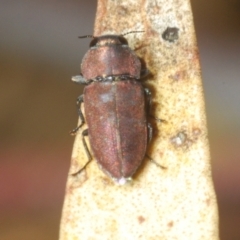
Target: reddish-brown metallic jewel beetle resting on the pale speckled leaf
[(115, 105)]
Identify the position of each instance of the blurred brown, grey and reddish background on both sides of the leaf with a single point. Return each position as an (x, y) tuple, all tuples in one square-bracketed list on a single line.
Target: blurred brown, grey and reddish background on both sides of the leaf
[(39, 52)]
